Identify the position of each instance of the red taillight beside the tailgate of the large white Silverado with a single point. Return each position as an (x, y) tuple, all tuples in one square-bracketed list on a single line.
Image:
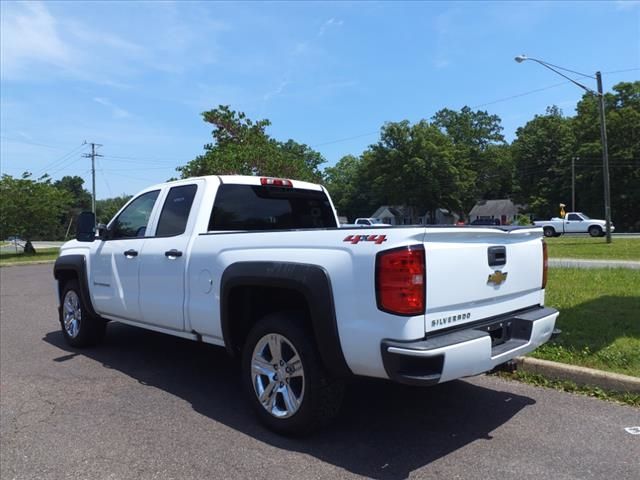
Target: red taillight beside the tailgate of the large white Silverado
[(400, 280)]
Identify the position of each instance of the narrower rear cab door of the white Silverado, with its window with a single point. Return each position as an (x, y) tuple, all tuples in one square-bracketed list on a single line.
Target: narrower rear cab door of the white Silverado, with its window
[(164, 258)]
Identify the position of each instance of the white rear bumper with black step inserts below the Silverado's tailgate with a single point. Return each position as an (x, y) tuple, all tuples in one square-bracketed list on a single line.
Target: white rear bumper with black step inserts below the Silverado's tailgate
[(470, 351)]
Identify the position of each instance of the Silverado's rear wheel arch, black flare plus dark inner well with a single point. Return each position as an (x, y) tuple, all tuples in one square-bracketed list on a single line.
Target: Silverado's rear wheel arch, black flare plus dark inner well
[(252, 288)]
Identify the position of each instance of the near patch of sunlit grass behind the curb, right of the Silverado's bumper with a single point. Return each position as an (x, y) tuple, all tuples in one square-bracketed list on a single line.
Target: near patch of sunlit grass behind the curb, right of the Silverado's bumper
[(599, 319)]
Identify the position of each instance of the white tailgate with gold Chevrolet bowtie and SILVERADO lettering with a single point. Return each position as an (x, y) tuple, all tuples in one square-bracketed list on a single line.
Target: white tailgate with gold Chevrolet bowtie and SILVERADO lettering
[(478, 273)]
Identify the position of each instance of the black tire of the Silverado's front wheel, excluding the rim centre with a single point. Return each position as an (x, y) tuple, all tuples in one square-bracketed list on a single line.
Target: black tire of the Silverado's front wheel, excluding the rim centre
[(90, 329)]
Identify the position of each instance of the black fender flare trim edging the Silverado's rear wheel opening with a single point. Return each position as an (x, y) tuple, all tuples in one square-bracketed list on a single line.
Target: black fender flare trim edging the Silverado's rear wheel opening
[(311, 281)]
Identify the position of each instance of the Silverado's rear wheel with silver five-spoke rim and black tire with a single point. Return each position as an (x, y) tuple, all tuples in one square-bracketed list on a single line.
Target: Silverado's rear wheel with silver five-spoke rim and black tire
[(285, 379)]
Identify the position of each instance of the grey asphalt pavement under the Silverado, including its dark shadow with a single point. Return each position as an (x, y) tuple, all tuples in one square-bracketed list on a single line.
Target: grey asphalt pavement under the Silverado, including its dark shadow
[(150, 406)]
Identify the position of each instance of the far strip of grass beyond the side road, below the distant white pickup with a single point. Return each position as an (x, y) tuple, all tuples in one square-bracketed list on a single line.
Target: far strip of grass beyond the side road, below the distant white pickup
[(594, 248)]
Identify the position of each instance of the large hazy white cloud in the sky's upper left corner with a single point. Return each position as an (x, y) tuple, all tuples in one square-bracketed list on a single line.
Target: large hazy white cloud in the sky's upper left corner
[(36, 45)]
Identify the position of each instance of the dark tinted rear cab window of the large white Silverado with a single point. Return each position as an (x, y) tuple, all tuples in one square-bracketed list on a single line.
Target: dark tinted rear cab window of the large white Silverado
[(258, 207)]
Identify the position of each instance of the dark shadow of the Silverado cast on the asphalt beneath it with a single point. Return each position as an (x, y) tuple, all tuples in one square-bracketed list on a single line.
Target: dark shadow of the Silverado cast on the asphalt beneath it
[(384, 431)]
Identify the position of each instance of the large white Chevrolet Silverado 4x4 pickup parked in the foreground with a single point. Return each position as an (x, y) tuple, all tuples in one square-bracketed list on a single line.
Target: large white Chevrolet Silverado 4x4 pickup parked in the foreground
[(260, 267)]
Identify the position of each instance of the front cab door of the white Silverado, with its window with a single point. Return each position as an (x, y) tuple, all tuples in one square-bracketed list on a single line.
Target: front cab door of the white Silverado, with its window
[(115, 262)]
